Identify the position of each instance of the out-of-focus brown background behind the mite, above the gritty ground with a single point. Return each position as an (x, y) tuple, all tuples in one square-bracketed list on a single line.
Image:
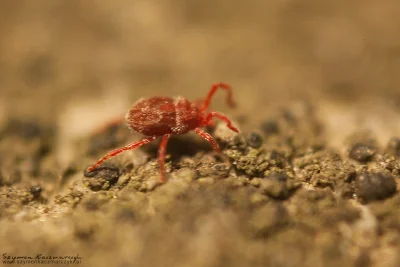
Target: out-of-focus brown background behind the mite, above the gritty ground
[(93, 59)]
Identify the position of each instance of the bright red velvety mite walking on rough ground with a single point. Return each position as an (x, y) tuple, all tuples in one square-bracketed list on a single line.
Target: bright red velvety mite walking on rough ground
[(164, 116)]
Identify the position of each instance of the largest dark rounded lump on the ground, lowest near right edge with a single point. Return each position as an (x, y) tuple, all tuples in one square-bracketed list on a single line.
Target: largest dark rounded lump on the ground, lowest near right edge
[(374, 186)]
